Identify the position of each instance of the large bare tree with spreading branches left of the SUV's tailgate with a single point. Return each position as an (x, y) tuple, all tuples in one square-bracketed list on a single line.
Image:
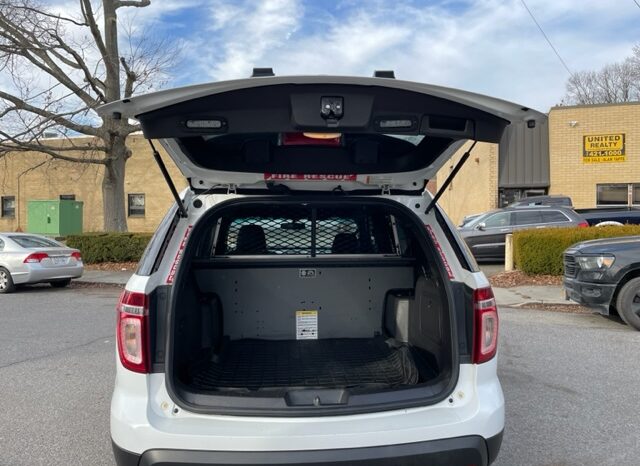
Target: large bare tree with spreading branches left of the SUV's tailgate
[(60, 68)]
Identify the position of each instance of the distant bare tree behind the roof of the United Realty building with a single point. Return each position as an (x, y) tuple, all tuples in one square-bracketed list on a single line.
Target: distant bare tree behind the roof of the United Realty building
[(616, 82)]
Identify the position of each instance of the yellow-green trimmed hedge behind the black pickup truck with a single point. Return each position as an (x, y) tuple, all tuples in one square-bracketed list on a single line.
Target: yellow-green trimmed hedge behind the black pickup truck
[(539, 252)]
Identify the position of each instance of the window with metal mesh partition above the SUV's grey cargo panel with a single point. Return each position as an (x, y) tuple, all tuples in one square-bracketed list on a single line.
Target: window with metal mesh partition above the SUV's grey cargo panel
[(301, 231)]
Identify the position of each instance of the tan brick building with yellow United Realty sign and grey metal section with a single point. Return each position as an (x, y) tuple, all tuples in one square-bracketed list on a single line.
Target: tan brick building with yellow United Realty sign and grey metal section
[(590, 153)]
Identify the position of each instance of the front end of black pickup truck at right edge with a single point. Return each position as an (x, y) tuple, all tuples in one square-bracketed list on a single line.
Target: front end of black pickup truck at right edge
[(605, 274)]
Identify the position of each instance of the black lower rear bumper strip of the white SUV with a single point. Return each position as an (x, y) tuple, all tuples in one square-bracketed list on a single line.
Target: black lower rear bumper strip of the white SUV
[(461, 450)]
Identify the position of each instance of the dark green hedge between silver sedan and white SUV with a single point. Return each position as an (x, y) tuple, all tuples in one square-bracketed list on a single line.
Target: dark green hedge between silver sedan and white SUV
[(109, 247)]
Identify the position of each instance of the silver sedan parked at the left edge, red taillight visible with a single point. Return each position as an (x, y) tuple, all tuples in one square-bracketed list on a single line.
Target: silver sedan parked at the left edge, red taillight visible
[(26, 258)]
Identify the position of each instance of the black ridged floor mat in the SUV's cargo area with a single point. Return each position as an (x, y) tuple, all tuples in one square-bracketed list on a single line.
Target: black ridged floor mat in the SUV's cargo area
[(258, 364)]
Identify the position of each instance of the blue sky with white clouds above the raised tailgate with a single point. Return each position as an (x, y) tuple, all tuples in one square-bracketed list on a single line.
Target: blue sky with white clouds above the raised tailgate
[(487, 46)]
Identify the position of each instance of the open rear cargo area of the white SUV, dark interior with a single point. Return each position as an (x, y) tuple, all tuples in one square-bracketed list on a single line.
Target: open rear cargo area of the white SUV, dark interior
[(285, 301)]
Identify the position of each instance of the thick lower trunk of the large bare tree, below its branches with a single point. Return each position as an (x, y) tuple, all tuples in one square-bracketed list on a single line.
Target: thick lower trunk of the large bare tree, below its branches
[(113, 202)]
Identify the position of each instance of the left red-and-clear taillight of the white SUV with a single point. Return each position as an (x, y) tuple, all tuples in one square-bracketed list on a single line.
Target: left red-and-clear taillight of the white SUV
[(131, 331)]
